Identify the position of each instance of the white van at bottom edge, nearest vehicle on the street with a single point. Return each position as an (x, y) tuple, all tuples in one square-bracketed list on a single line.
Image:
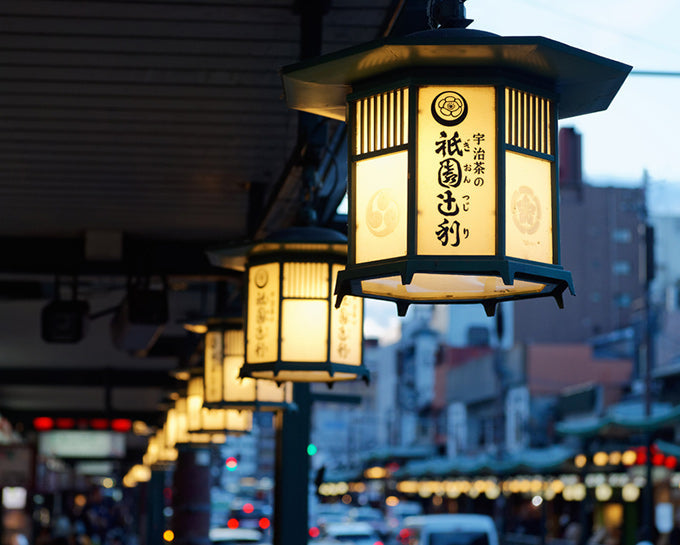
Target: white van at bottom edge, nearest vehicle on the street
[(448, 529)]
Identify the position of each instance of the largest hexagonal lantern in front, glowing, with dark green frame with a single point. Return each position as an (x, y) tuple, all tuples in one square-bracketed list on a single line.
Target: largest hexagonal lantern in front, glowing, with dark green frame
[(453, 189)]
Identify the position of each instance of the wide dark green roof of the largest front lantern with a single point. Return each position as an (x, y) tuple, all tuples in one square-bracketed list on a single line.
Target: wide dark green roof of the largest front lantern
[(585, 82)]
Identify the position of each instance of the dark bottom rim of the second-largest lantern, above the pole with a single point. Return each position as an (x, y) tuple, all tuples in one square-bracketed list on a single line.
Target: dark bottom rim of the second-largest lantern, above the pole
[(304, 372)]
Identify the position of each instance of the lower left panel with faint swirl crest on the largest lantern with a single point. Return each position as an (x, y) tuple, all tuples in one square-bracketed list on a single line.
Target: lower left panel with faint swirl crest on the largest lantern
[(380, 190)]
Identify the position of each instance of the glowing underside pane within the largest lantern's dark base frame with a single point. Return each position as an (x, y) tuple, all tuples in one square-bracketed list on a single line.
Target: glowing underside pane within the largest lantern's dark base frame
[(426, 287)]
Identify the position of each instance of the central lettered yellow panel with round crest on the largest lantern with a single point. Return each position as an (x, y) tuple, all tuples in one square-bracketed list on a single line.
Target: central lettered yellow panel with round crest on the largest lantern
[(456, 170)]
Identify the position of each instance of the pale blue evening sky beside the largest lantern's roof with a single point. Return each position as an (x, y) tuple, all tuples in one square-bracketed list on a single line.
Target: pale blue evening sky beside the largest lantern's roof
[(638, 131)]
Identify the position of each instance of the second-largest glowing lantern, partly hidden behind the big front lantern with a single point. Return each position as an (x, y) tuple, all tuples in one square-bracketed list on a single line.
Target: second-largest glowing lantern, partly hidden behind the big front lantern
[(293, 331)]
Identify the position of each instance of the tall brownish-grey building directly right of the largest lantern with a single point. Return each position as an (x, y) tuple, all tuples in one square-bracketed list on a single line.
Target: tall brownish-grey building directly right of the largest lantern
[(602, 245)]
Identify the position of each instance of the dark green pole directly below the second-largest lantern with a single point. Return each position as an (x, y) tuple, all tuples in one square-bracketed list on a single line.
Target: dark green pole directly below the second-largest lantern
[(291, 488)]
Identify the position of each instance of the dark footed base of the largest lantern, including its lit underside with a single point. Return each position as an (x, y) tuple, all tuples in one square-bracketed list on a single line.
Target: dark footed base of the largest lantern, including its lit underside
[(453, 280)]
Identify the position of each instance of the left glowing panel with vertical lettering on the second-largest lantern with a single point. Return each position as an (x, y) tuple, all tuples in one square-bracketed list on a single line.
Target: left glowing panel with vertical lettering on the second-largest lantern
[(263, 313)]
